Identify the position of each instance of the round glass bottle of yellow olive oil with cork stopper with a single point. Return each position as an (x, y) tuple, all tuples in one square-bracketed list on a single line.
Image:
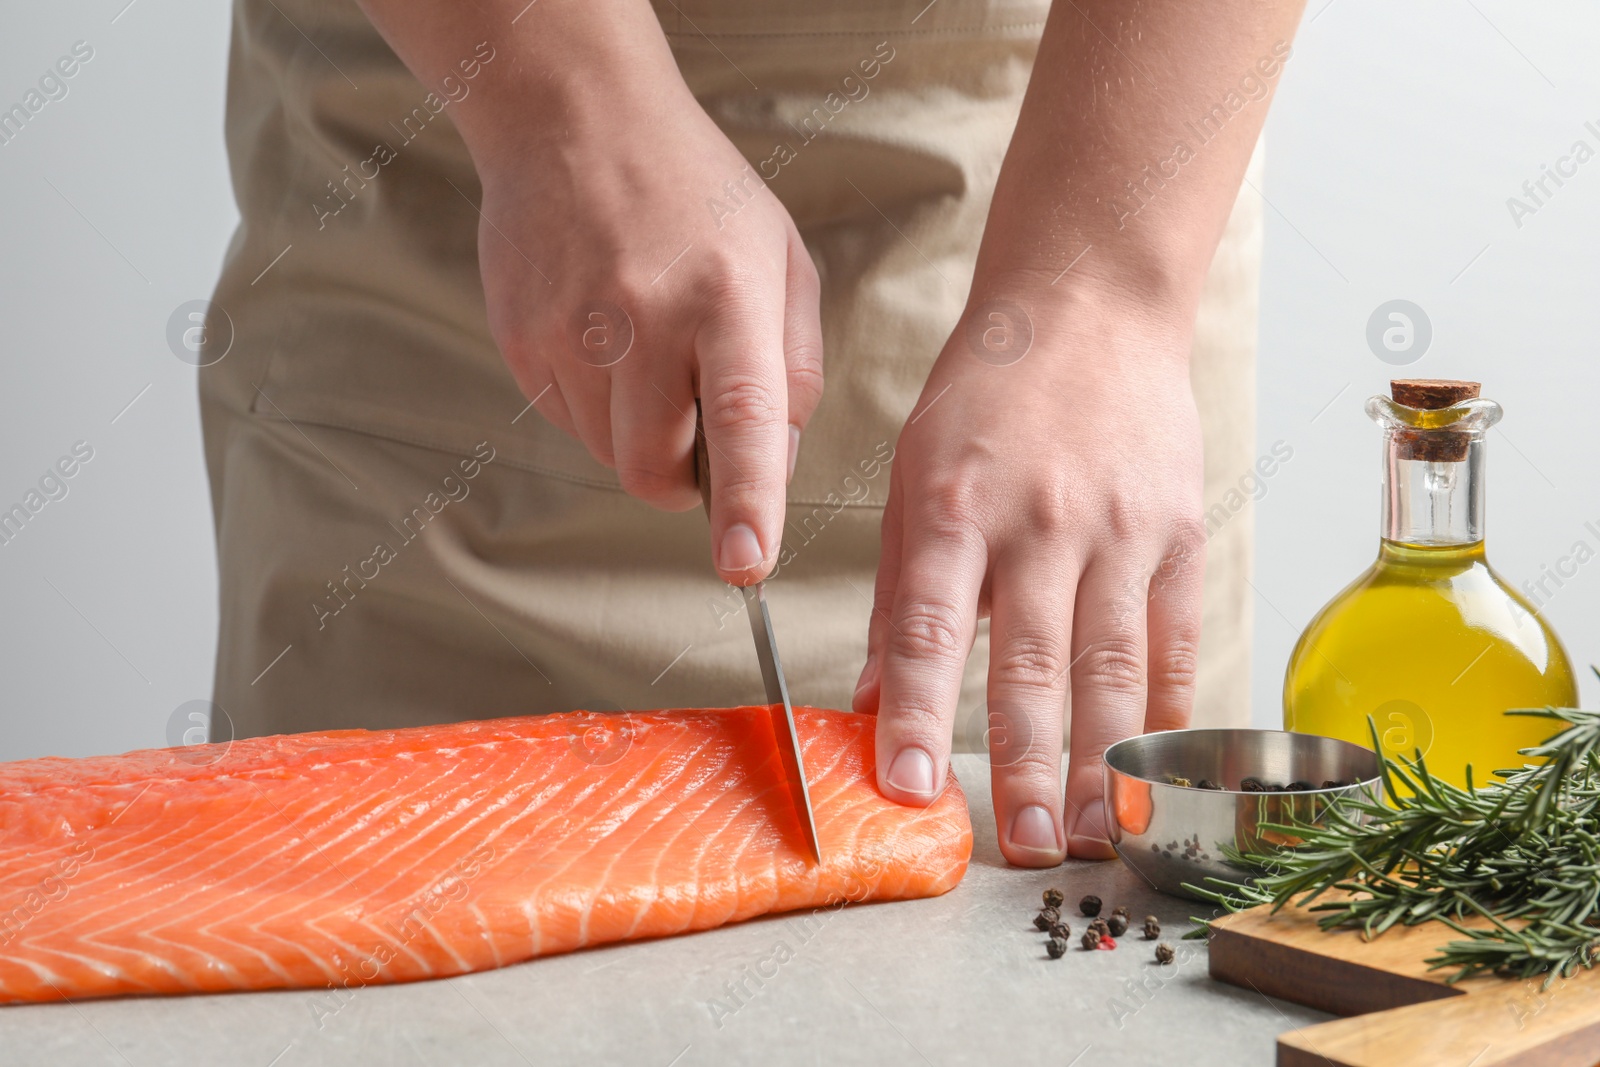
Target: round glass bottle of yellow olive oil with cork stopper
[(1431, 642)]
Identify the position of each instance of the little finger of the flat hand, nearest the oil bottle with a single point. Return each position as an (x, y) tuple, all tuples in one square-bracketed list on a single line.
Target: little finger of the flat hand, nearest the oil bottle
[(1175, 633)]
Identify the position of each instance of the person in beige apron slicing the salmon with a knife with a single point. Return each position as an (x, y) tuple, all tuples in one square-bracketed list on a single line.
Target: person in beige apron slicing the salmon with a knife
[(492, 255)]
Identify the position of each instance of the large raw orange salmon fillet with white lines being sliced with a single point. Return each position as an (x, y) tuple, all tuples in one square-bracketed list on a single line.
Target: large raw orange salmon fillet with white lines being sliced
[(353, 858)]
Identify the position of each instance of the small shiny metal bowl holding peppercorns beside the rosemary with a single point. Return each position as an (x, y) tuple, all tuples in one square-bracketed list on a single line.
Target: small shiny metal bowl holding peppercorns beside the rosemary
[(1178, 834)]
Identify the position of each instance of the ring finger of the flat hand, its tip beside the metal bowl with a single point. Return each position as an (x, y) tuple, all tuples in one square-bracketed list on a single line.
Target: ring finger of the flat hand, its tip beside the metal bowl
[(1108, 690)]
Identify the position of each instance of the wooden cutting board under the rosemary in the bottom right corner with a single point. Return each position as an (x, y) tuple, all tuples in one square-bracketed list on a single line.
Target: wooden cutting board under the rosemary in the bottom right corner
[(1402, 1015)]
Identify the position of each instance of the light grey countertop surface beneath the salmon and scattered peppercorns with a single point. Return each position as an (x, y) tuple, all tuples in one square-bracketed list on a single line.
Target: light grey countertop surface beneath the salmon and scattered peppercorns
[(961, 980)]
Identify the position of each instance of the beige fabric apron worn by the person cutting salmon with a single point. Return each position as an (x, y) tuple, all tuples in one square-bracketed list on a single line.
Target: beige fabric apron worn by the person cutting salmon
[(402, 541)]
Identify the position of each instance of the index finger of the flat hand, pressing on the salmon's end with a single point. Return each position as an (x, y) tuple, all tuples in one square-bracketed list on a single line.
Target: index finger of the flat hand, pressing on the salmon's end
[(926, 653)]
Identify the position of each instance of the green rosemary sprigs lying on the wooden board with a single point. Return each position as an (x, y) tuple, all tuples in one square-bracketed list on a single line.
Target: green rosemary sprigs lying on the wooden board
[(1522, 853)]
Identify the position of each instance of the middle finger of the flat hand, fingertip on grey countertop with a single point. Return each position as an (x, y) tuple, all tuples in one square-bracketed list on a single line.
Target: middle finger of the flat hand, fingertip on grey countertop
[(1030, 641)]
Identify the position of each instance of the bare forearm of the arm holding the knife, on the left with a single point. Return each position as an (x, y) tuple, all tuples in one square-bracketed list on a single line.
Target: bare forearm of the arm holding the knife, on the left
[(561, 68)]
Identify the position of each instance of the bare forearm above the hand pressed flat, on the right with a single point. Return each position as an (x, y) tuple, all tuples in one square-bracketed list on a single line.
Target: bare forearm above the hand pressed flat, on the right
[(1130, 150)]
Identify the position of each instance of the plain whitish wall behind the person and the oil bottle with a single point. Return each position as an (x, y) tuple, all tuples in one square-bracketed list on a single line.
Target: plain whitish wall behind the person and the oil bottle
[(1398, 137)]
